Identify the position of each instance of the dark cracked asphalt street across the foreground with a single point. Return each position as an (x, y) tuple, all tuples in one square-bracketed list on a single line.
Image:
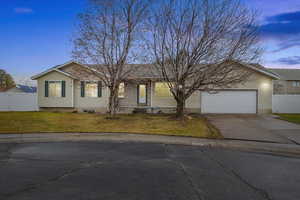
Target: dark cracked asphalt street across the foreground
[(114, 170)]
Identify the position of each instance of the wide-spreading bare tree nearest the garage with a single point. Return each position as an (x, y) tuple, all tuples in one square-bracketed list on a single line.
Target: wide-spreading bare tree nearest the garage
[(197, 44)]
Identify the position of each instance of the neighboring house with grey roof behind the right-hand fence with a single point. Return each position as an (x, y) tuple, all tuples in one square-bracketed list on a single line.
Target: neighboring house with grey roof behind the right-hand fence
[(289, 82)]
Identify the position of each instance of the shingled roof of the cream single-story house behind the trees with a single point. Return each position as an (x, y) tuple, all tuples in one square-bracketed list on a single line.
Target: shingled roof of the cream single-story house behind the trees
[(139, 71)]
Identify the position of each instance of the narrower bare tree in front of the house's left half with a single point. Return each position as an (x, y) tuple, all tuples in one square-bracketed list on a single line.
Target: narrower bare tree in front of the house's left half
[(107, 36)]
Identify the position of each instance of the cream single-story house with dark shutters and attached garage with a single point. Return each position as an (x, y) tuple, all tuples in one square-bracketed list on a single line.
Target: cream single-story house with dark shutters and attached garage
[(73, 86)]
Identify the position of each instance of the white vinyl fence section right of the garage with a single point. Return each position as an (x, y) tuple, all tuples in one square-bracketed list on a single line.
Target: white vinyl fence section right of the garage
[(286, 104)]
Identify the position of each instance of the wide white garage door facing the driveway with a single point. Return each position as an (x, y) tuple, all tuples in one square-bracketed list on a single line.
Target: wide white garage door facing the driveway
[(243, 102)]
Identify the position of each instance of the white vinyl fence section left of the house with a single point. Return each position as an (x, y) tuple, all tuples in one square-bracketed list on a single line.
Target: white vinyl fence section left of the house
[(18, 102)]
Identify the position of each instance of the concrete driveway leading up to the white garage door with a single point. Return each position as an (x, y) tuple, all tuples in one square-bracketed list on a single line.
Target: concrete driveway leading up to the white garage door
[(265, 128)]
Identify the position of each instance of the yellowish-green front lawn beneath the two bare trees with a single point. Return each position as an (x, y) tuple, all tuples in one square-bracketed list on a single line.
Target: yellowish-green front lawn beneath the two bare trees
[(42, 122)]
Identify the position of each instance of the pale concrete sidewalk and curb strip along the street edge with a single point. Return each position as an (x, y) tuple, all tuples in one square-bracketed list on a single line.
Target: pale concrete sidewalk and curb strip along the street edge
[(176, 140)]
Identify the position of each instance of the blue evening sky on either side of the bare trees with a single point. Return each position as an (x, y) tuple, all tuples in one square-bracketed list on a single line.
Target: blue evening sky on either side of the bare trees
[(36, 34)]
